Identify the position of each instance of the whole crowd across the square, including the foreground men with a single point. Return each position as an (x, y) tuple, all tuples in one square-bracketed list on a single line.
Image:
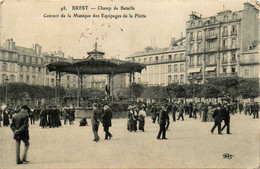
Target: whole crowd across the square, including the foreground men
[(136, 114)]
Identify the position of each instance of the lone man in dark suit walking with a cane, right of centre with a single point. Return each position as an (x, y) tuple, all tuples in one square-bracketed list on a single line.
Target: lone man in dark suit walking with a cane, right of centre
[(163, 121)]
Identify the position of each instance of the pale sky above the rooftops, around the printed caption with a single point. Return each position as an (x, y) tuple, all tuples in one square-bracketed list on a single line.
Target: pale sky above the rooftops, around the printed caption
[(24, 21)]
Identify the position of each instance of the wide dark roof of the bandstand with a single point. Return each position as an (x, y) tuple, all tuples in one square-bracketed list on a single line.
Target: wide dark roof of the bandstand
[(96, 66)]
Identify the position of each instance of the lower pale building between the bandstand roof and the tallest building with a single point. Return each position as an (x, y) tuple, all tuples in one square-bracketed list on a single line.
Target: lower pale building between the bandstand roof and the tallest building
[(163, 66)]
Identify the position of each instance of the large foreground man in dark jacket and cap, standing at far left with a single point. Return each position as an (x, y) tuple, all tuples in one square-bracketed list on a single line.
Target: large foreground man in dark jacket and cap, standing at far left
[(19, 126)]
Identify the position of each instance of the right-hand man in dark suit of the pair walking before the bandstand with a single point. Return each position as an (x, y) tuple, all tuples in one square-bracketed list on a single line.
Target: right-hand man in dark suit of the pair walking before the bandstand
[(107, 116)]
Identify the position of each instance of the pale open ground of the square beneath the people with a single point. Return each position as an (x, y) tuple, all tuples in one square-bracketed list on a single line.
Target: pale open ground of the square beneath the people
[(190, 145)]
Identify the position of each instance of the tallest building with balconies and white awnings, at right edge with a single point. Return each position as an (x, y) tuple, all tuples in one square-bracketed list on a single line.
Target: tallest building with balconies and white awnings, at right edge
[(223, 45)]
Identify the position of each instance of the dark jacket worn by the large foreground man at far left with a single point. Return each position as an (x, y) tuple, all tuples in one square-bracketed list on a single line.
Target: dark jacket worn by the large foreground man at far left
[(20, 122)]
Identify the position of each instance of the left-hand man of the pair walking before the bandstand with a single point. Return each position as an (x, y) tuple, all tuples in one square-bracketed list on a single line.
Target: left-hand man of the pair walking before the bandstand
[(95, 119)]
